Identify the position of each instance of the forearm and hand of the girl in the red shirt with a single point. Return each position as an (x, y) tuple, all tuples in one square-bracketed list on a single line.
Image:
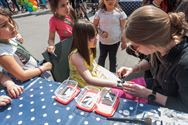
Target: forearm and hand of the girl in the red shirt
[(51, 39)]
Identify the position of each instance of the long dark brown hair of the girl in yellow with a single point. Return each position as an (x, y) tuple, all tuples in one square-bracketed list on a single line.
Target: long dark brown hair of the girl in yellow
[(82, 32)]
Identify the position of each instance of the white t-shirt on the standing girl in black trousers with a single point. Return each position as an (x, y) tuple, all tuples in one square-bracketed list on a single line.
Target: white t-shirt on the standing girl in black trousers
[(110, 22)]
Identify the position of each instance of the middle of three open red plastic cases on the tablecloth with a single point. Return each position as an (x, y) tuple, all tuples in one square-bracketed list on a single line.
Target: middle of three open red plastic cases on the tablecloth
[(87, 99)]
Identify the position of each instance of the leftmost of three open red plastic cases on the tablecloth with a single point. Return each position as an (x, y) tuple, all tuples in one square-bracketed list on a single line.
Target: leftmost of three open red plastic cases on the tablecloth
[(67, 91)]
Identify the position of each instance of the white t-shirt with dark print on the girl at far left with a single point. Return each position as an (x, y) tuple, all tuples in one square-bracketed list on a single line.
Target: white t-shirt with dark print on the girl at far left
[(24, 59)]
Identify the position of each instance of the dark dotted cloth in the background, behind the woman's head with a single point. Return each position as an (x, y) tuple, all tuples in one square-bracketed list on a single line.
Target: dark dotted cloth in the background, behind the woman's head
[(128, 6)]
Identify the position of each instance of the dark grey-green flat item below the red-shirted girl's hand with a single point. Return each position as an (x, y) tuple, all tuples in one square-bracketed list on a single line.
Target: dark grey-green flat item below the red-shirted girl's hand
[(59, 60)]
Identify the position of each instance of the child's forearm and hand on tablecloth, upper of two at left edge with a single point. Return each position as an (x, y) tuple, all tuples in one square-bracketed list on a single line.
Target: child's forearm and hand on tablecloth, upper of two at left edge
[(13, 90)]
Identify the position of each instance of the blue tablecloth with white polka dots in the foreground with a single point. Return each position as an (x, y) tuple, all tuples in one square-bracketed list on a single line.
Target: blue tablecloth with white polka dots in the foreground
[(37, 106)]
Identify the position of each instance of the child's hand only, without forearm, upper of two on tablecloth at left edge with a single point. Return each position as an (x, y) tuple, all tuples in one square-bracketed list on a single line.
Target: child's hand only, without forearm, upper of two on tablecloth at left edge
[(14, 90)]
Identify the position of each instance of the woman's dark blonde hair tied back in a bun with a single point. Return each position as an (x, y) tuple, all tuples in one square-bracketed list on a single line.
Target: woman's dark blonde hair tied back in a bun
[(149, 25)]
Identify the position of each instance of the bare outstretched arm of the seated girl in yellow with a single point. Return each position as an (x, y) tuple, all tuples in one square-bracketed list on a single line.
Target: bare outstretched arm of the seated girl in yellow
[(77, 60)]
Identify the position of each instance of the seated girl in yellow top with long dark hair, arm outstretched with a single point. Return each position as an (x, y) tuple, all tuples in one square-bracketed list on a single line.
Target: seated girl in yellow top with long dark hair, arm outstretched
[(81, 58)]
